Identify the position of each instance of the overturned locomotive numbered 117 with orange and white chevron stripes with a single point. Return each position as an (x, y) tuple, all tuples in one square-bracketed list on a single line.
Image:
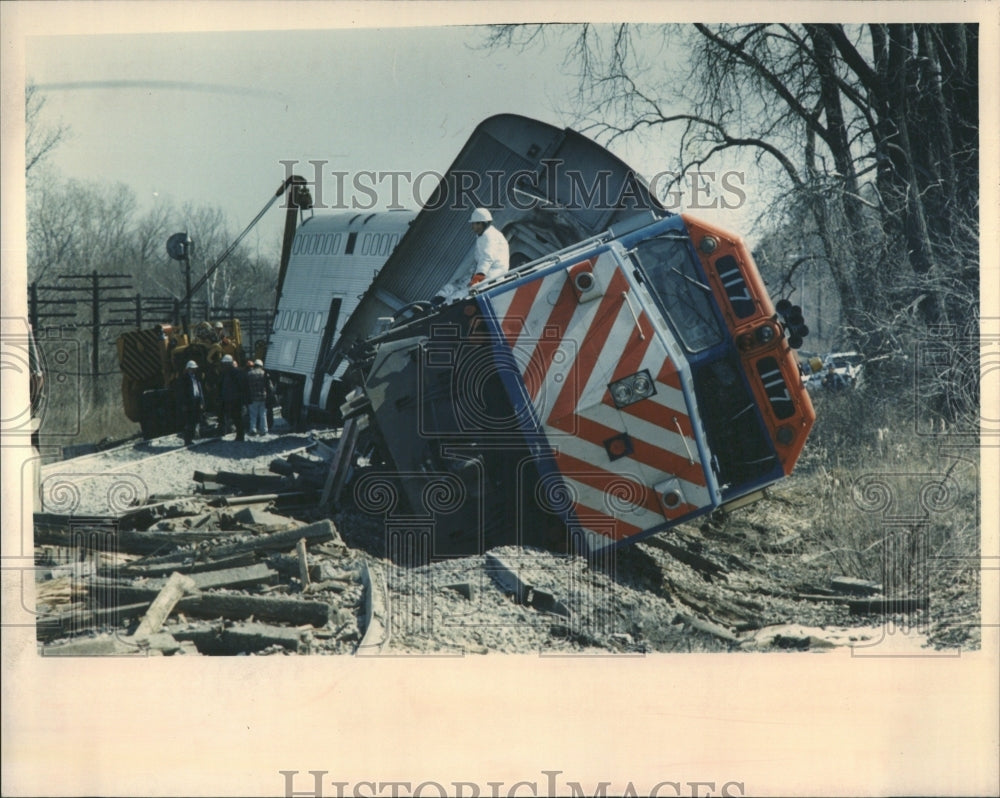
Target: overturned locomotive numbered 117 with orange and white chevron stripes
[(619, 387)]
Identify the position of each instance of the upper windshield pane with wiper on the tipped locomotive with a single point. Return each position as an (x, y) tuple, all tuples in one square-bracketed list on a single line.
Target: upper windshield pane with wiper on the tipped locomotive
[(671, 273)]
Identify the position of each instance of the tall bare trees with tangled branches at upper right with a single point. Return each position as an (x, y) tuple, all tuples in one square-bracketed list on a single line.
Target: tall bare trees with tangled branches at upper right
[(872, 130)]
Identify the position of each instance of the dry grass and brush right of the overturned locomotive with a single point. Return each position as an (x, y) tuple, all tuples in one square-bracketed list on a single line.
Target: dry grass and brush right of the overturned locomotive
[(879, 500)]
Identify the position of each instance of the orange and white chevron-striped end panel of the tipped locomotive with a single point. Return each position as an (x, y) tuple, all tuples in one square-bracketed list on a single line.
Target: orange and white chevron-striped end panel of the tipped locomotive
[(568, 351)]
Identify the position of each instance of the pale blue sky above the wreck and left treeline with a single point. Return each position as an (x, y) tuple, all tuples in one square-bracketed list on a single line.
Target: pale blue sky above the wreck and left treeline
[(208, 117)]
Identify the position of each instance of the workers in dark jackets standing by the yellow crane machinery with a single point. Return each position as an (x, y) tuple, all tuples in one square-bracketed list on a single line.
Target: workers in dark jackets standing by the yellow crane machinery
[(239, 389)]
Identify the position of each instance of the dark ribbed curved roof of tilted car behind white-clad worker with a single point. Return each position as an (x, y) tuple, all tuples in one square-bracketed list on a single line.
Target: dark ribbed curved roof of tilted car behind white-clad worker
[(524, 168)]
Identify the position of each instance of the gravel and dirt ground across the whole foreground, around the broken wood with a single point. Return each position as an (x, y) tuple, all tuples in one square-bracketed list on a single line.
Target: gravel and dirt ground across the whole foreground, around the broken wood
[(817, 565)]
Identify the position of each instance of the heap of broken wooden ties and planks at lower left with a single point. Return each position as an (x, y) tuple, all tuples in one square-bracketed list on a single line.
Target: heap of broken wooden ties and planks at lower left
[(194, 562)]
